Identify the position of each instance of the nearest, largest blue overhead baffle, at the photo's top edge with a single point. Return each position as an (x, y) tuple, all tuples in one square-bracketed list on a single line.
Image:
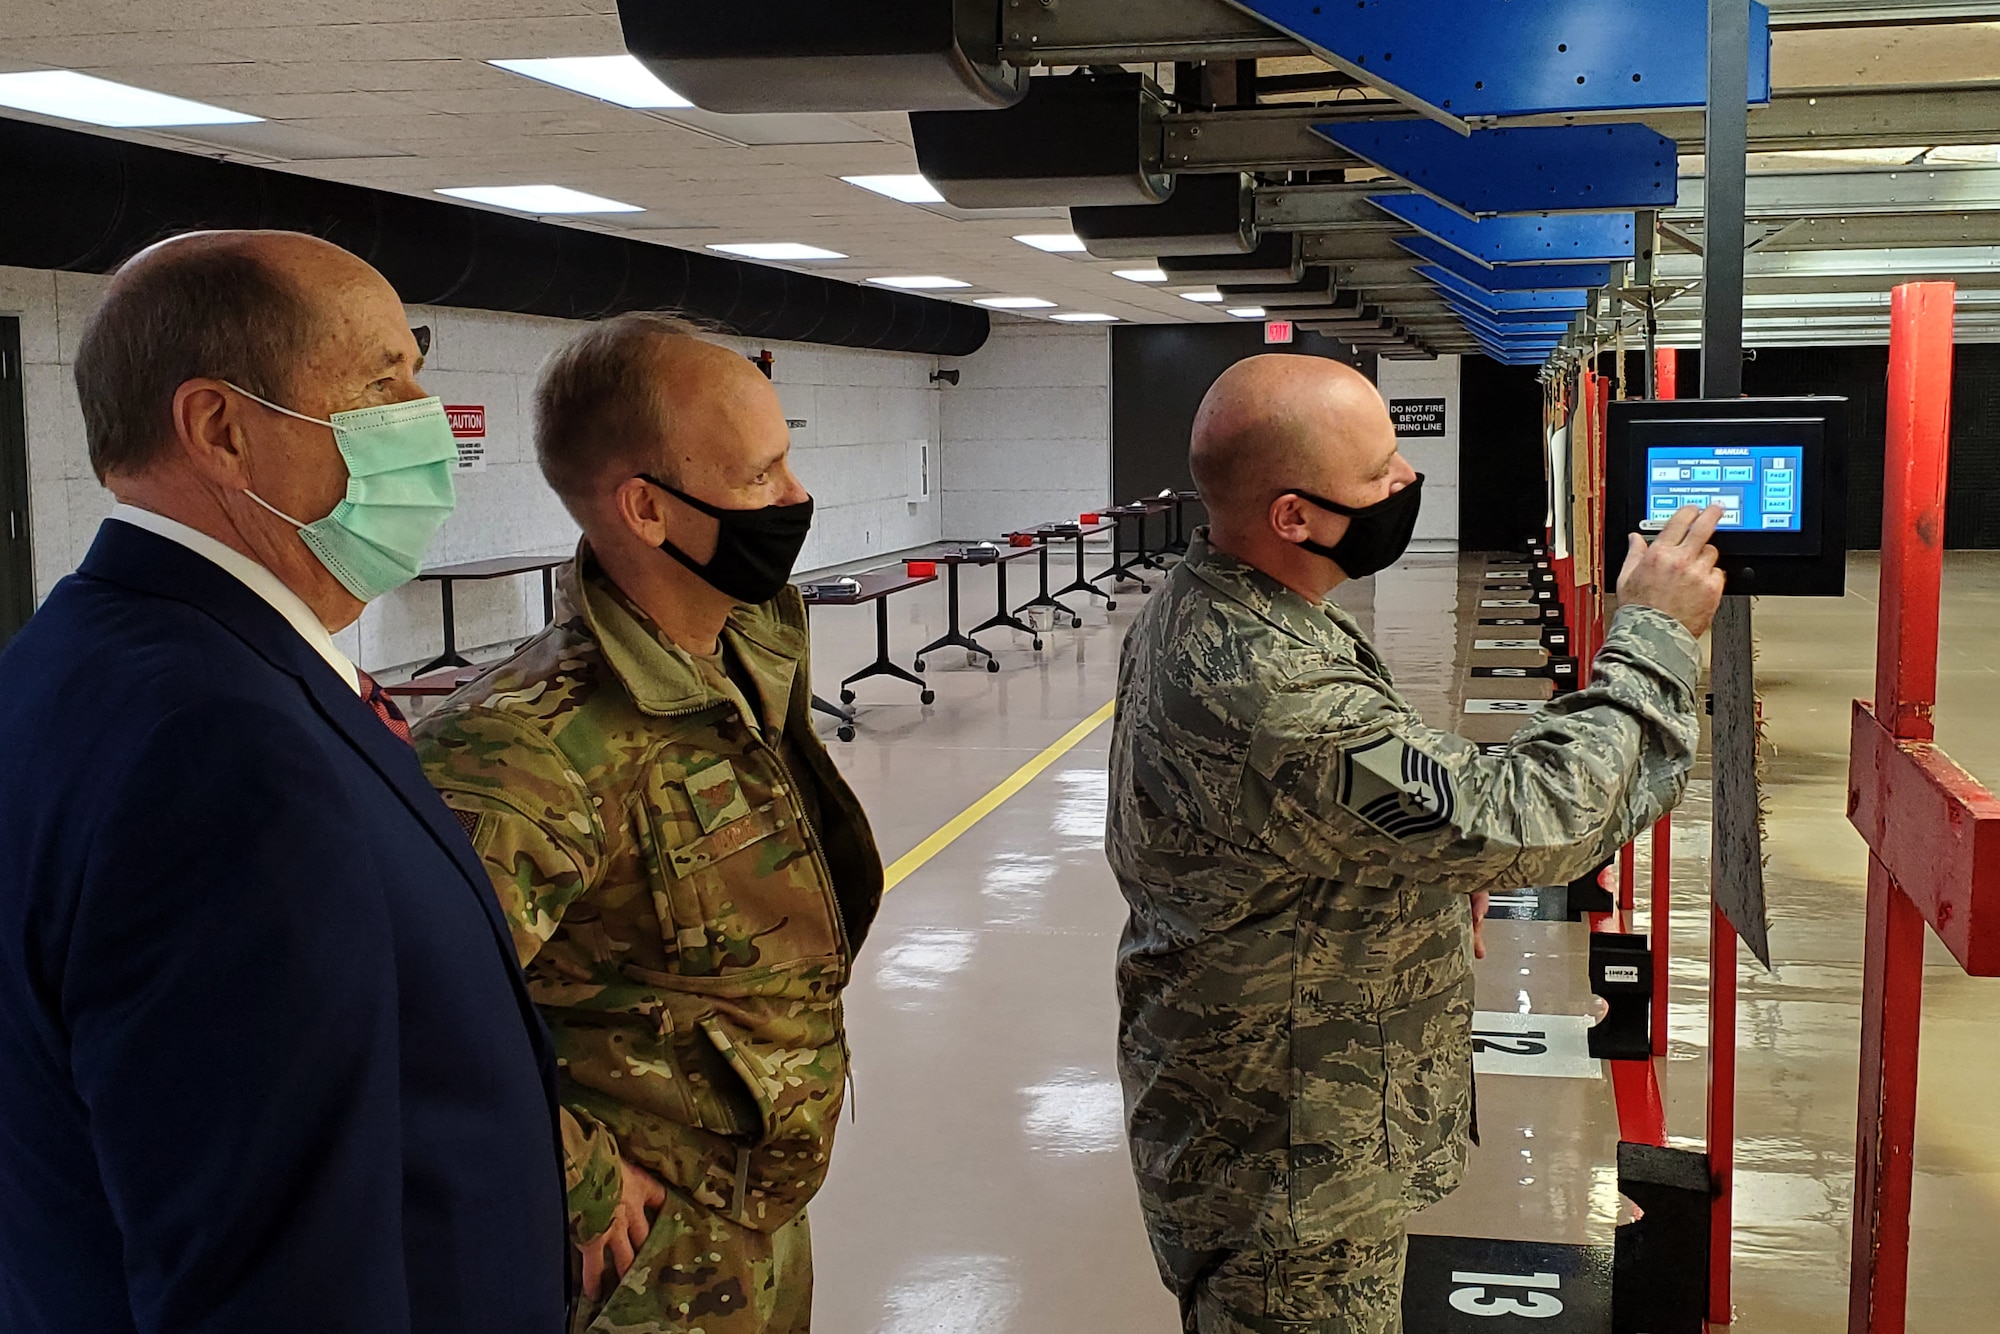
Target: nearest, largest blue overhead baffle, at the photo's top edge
[(1467, 59)]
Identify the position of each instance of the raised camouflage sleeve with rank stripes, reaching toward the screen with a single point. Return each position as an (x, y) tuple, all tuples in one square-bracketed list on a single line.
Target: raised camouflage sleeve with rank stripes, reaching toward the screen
[(1347, 781)]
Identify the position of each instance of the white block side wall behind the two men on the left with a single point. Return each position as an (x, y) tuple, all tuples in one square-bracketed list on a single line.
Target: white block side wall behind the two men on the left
[(863, 413)]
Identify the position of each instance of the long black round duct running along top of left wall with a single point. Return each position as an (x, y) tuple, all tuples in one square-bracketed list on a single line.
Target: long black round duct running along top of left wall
[(97, 201)]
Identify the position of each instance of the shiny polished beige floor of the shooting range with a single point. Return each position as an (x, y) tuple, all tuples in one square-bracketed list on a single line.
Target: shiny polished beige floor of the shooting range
[(983, 1185)]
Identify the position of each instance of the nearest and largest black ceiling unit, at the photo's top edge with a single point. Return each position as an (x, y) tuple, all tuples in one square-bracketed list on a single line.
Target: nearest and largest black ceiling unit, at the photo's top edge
[(817, 57)]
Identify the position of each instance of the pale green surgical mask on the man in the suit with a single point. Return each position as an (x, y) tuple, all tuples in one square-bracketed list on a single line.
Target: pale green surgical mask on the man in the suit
[(401, 461)]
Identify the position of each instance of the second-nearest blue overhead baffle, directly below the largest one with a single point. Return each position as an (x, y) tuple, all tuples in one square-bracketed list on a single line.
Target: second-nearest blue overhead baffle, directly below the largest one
[(1521, 171)]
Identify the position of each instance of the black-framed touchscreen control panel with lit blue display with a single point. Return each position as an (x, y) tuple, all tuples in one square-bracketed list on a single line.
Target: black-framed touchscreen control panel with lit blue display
[(1773, 465)]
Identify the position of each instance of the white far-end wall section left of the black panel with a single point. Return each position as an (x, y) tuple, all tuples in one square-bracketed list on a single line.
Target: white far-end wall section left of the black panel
[(1027, 431)]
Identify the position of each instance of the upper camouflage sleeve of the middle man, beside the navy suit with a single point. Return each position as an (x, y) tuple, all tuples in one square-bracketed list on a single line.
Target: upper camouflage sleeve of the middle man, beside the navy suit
[(525, 811)]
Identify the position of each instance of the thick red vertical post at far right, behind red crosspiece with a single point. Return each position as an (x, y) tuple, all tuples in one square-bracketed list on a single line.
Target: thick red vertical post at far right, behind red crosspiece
[(1907, 687)]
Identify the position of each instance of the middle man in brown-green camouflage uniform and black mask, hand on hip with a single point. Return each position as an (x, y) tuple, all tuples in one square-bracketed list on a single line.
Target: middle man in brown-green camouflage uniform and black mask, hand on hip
[(685, 871)]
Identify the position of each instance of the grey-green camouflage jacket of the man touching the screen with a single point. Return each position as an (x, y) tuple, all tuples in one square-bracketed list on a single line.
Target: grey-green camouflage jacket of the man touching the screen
[(1297, 849)]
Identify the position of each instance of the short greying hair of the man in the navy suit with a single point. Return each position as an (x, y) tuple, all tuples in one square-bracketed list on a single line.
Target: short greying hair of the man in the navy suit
[(197, 311)]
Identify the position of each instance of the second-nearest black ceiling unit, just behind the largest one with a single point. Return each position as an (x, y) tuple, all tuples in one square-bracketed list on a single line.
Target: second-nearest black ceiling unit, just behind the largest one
[(1077, 139)]
